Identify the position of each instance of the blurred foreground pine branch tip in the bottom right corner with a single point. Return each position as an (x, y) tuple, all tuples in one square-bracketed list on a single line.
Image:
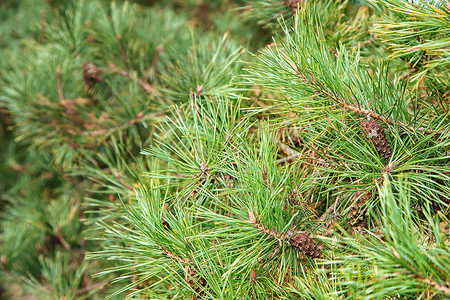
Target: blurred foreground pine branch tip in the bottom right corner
[(413, 264)]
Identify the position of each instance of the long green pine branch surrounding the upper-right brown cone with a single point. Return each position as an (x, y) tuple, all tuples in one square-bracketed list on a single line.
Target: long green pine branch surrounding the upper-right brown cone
[(334, 92)]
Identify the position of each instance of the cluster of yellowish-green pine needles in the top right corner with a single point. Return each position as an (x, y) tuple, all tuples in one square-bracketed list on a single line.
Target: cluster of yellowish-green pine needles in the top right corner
[(418, 33)]
